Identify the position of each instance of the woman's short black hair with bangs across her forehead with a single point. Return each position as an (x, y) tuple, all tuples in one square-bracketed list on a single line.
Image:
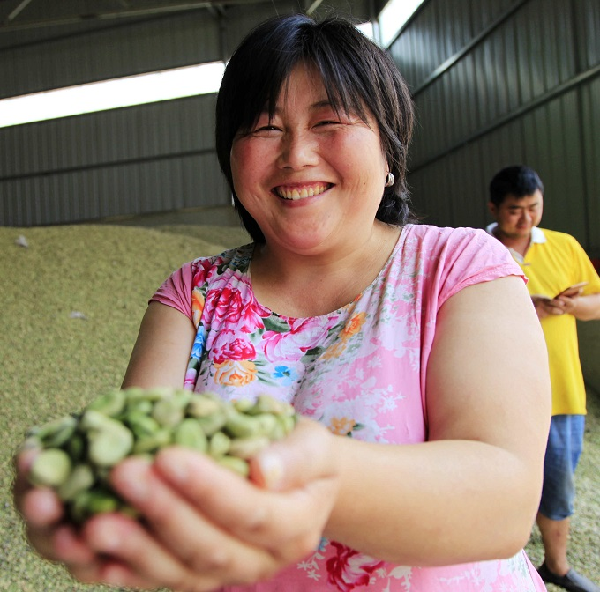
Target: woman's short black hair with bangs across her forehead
[(359, 77)]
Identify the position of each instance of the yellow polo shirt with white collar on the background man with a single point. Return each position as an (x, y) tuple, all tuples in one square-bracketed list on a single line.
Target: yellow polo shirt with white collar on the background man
[(554, 261)]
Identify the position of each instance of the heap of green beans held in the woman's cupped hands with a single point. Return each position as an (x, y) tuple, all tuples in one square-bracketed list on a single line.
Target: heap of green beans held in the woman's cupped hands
[(78, 451)]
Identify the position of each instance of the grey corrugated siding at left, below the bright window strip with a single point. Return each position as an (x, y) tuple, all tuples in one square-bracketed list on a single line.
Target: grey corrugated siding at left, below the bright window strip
[(151, 158)]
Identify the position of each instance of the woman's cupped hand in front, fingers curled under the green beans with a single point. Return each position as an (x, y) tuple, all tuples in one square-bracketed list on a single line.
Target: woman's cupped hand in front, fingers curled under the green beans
[(205, 527)]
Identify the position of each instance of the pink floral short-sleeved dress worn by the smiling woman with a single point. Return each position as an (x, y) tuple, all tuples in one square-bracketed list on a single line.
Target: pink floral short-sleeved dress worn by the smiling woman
[(360, 370)]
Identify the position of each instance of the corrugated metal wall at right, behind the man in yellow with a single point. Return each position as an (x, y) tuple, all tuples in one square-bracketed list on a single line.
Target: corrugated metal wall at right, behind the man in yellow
[(505, 82)]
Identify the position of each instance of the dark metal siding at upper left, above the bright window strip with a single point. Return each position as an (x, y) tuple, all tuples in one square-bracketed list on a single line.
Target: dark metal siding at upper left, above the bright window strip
[(70, 57)]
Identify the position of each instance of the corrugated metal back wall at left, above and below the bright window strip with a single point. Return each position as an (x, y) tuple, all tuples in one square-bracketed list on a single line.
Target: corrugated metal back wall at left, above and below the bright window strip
[(155, 157)]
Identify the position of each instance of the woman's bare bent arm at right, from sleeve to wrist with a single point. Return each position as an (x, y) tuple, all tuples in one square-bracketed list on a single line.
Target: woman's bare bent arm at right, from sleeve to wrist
[(472, 491)]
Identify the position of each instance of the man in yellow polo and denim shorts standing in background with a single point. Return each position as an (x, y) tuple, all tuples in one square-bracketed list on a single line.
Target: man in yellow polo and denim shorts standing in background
[(564, 286)]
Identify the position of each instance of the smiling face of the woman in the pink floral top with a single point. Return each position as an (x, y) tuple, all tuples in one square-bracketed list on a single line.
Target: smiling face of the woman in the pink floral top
[(311, 179)]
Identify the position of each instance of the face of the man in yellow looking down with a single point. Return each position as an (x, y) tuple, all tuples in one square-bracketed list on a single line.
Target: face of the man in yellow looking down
[(516, 216)]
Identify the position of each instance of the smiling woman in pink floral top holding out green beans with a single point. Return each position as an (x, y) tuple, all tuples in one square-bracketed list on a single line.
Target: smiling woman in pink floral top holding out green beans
[(418, 344)]
